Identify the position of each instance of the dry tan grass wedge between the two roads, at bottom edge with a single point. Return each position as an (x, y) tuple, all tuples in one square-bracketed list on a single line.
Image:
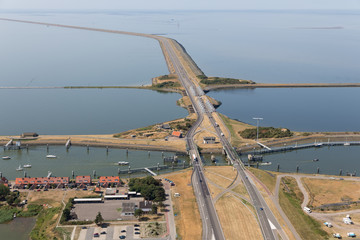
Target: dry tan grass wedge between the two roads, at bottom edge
[(237, 221)]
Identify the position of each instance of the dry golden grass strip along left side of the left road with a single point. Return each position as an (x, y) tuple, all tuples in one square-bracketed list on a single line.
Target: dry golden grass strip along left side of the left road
[(187, 219)]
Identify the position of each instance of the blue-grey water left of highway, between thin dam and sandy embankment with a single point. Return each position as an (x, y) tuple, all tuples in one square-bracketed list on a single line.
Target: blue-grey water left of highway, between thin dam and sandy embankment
[(84, 111)]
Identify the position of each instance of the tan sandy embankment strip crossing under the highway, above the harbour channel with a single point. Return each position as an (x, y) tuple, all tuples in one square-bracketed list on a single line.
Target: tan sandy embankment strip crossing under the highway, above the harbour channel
[(170, 146)]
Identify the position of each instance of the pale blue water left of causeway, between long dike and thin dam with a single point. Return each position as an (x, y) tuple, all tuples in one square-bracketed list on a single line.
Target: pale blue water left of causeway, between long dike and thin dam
[(53, 56)]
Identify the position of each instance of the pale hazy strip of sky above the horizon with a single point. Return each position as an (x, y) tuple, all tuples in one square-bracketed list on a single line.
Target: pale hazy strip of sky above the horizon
[(177, 4)]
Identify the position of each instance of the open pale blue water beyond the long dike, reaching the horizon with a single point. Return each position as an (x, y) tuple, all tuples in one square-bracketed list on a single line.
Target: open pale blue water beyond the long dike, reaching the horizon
[(264, 46)]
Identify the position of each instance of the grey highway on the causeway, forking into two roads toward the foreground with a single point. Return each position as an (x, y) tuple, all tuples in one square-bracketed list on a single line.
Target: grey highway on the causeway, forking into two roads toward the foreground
[(211, 225)]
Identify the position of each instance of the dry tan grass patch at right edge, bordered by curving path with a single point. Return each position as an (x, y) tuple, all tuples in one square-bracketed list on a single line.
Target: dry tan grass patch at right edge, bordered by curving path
[(325, 191)]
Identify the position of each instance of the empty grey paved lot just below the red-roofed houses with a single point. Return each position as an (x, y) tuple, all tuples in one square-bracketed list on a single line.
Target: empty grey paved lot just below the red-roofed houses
[(110, 209)]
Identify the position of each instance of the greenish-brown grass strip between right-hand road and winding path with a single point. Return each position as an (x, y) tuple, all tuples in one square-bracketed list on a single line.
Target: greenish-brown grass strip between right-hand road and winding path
[(307, 227)]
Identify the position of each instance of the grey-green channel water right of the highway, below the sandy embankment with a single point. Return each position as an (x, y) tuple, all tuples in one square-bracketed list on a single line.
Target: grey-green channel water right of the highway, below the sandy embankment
[(331, 160)]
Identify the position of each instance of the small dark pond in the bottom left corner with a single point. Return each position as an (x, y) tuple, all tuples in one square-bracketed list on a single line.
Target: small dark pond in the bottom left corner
[(18, 229)]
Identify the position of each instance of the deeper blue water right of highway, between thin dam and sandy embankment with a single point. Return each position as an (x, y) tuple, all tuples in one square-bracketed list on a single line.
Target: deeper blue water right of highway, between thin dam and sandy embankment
[(299, 109)]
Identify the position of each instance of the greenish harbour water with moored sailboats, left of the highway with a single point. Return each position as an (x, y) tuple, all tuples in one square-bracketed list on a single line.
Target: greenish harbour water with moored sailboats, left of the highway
[(86, 161)]
